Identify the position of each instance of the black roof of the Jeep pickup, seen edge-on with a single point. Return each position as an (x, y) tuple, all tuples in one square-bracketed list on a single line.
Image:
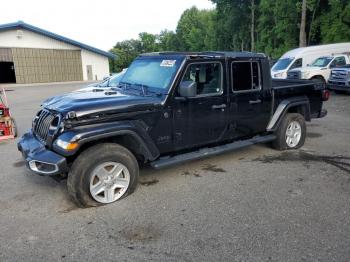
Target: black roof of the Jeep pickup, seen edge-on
[(225, 54)]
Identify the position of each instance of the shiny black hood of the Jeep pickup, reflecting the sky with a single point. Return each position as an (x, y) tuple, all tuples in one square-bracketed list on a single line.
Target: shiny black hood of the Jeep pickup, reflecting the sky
[(90, 102)]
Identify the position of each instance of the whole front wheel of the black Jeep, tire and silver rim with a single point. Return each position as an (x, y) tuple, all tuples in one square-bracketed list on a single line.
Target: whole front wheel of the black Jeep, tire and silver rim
[(102, 174)]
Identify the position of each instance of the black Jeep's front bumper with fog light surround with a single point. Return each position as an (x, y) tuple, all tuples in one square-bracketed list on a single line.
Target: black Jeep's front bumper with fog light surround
[(39, 159)]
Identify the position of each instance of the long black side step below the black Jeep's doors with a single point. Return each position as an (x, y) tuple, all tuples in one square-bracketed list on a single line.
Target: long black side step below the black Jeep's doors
[(209, 151)]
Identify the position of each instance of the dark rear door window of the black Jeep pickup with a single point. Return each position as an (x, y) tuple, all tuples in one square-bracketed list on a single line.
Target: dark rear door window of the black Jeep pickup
[(245, 76)]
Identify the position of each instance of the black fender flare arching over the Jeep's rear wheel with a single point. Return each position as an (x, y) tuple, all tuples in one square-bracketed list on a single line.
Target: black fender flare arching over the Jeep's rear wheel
[(284, 106)]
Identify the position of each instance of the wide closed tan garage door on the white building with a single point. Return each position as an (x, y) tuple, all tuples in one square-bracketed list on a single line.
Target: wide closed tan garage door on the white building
[(47, 65)]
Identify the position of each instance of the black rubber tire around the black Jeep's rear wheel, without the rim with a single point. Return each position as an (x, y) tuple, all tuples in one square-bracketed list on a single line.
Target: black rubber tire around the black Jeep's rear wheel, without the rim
[(280, 143)]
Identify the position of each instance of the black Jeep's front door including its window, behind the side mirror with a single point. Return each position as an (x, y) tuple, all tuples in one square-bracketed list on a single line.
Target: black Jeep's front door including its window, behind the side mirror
[(201, 119)]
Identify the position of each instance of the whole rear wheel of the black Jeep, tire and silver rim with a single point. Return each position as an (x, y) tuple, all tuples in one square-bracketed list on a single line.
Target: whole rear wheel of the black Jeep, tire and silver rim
[(291, 133)]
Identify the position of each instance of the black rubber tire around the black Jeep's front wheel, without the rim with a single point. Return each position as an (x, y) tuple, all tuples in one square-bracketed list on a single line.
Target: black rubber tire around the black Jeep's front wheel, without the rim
[(78, 181)]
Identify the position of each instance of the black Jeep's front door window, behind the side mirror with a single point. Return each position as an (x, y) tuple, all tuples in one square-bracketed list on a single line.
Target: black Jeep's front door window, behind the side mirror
[(208, 77)]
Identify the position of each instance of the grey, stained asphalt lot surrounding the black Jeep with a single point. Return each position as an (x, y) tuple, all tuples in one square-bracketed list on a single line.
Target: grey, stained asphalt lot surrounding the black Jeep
[(255, 204)]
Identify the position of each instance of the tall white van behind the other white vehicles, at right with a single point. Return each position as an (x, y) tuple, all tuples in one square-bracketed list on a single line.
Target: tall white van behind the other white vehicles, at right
[(301, 57)]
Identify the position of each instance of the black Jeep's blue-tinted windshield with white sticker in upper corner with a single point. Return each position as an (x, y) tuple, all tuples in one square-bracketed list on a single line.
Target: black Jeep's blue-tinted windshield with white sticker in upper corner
[(151, 72)]
